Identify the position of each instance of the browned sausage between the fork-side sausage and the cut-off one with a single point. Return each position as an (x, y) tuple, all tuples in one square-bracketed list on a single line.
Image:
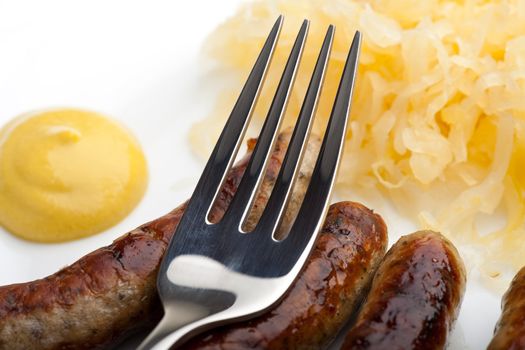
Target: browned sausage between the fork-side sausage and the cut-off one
[(415, 296)]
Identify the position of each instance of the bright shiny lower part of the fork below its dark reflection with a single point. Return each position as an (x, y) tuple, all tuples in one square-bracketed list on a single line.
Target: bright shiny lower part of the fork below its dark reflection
[(203, 294)]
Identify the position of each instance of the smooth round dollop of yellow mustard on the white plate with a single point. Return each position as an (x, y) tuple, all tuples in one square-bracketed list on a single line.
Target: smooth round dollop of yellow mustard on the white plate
[(66, 174)]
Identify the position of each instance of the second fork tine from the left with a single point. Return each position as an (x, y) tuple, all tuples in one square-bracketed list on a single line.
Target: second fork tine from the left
[(254, 172)]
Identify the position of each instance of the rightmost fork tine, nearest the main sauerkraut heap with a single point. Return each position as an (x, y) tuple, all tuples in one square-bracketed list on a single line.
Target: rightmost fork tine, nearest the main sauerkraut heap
[(317, 195)]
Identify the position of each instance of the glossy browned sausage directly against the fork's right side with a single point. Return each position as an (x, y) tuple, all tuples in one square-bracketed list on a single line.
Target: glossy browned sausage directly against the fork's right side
[(328, 291)]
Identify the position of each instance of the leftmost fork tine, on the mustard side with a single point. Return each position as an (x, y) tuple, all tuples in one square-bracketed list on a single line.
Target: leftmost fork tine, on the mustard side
[(231, 136)]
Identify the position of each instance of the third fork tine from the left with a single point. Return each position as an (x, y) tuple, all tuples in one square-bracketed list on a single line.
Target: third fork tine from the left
[(272, 215)]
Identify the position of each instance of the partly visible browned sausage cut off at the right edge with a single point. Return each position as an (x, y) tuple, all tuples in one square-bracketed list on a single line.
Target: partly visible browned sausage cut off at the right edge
[(510, 329)]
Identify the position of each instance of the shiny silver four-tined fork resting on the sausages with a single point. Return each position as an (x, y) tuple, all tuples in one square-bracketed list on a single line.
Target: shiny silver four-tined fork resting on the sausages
[(215, 273)]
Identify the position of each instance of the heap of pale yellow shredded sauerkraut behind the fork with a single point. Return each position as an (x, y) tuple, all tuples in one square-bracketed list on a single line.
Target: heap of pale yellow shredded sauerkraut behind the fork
[(438, 119)]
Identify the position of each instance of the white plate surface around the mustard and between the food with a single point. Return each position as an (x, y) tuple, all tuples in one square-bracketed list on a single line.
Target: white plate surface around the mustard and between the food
[(138, 62)]
